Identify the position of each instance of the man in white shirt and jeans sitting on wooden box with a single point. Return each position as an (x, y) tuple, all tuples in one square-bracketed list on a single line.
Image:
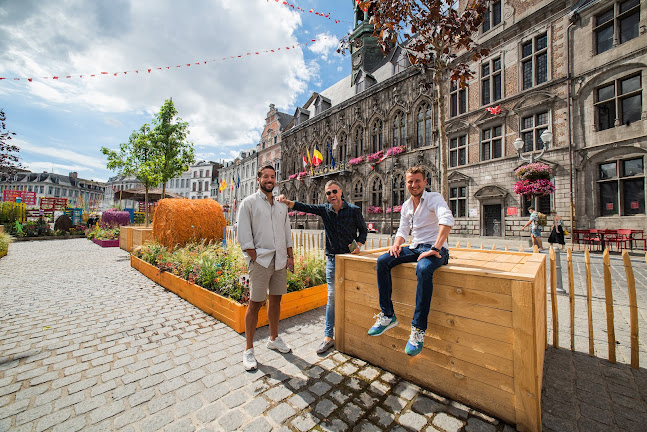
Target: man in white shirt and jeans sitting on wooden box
[(428, 219)]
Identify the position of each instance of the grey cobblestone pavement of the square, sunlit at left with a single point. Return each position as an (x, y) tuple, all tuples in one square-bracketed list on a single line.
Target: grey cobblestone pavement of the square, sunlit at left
[(88, 343)]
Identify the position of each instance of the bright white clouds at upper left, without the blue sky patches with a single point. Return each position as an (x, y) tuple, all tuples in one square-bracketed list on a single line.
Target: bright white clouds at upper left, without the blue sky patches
[(224, 102)]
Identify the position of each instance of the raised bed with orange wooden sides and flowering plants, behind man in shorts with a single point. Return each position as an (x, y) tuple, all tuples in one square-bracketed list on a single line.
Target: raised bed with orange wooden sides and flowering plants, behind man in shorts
[(213, 279)]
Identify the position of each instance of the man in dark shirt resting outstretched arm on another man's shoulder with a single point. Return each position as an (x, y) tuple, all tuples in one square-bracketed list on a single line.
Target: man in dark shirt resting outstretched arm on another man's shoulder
[(343, 224)]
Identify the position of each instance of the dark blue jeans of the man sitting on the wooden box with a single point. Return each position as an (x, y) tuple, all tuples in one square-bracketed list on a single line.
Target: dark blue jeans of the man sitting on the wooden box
[(424, 273)]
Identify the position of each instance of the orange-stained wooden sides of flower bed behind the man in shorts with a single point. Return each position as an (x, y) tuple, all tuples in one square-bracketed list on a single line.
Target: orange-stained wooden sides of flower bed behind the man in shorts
[(226, 310)]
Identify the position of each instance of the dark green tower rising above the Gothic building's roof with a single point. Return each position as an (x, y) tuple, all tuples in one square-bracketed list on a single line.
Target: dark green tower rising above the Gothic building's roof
[(365, 52)]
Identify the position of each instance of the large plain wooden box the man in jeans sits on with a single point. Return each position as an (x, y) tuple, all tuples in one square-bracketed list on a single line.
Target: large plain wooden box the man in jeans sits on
[(486, 333)]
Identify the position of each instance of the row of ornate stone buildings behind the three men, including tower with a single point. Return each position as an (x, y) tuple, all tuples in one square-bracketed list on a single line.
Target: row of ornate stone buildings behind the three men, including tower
[(568, 78)]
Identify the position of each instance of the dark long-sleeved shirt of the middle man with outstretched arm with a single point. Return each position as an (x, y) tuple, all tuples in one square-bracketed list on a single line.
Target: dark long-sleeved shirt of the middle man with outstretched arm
[(341, 228)]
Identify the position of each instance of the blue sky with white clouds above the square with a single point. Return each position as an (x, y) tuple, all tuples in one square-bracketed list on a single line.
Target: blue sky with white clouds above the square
[(61, 124)]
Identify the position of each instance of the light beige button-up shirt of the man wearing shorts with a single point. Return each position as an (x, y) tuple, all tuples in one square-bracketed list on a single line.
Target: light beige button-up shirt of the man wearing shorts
[(266, 228)]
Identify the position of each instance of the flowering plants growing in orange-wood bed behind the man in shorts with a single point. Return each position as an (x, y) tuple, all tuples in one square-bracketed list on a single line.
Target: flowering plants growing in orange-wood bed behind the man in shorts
[(223, 270)]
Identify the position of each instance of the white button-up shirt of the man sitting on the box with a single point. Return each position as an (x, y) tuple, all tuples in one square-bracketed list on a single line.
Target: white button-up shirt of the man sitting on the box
[(423, 225)]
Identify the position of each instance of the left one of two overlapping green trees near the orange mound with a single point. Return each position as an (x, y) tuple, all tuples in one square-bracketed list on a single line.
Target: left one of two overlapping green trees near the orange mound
[(138, 157)]
